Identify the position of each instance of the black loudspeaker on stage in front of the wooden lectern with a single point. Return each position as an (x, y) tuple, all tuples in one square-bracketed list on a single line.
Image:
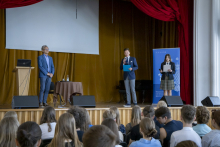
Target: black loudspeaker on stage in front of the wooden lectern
[(25, 102)]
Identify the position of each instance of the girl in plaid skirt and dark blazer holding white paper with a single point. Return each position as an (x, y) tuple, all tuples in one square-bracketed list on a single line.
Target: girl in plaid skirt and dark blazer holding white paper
[(167, 70)]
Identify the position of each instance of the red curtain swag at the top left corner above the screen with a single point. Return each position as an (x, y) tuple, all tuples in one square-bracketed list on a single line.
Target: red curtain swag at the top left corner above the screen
[(16, 3)]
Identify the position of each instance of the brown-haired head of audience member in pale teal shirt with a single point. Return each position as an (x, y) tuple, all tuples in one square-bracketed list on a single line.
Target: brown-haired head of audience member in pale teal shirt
[(202, 115)]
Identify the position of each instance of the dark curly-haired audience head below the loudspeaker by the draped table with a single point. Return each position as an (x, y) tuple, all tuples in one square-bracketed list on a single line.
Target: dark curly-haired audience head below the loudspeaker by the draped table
[(79, 115)]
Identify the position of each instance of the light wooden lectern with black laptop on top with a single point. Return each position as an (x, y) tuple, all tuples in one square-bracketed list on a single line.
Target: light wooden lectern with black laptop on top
[(22, 79)]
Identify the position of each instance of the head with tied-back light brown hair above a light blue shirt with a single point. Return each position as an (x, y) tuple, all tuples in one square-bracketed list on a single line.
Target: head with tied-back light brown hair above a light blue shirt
[(147, 127)]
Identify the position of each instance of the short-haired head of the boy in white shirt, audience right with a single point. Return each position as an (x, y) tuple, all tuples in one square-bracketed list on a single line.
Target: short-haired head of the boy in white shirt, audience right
[(188, 113)]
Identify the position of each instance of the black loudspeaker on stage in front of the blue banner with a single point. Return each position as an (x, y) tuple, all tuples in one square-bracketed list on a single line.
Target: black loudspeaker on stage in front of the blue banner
[(172, 101)]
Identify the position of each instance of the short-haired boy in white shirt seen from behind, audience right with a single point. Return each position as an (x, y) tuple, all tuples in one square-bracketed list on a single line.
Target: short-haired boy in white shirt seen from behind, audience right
[(188, 113)]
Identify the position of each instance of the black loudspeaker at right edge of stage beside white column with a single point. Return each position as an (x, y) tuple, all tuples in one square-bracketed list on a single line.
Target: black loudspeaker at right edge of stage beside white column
[(211, 101)]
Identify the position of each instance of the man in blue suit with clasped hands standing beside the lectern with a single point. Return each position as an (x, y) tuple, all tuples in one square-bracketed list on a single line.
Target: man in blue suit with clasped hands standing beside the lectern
[(46, 68)]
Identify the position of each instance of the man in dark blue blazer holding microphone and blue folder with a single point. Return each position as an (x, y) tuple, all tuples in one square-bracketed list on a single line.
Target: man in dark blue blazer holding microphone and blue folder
[(129, 77)]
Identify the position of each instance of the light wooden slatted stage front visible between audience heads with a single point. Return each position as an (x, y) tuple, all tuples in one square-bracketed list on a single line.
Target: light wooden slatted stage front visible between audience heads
[(95, 113)]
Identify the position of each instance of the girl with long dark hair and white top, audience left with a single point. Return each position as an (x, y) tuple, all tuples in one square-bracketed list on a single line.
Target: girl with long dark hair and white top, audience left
[(48, 123)]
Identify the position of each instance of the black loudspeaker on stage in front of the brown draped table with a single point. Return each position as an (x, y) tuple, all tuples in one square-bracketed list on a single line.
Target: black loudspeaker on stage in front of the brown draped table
[(83, 101)]
